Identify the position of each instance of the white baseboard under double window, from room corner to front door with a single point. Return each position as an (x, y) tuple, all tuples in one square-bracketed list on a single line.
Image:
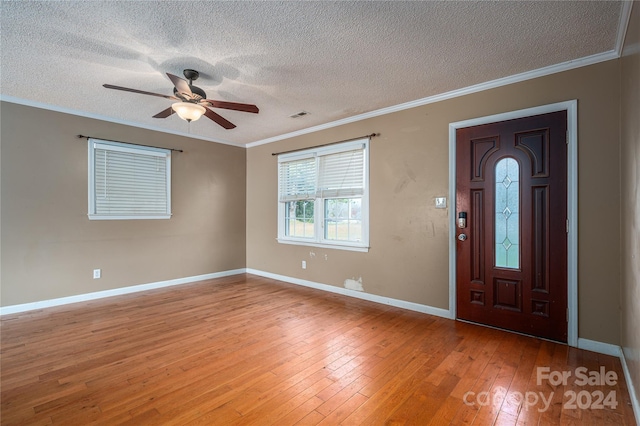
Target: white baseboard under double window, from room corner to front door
[(425, 309)]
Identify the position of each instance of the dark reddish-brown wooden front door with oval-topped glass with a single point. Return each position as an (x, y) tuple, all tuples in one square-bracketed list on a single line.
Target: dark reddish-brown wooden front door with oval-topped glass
[(512, 253)]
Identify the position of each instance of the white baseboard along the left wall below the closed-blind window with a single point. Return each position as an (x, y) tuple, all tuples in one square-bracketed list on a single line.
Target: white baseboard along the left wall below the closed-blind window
[(14, 309)]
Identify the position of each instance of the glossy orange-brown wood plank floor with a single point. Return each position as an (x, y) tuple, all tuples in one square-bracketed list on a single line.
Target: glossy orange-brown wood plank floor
[(246, 350)]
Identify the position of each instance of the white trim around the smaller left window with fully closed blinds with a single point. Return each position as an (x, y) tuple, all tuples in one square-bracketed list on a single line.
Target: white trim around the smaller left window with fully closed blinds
[(94, 144)]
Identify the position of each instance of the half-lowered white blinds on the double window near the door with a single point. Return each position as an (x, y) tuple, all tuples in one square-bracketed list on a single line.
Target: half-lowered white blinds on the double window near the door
[(335, 172)]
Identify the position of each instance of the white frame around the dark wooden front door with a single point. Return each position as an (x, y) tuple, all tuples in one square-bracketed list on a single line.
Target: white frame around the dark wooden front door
[(572, 202)]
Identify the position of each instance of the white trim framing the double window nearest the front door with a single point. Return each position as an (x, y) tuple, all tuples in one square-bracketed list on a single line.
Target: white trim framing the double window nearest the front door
[(319, 239)]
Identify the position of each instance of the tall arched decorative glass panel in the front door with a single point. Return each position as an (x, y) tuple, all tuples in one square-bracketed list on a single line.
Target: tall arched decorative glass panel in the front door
[(507, 213)]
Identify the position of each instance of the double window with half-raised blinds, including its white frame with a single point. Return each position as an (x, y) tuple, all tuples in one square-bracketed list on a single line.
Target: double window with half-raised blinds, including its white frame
[(323, 196)]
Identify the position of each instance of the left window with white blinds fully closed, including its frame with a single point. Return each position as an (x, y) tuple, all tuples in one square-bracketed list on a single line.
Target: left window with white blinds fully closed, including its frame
[(128, 181)]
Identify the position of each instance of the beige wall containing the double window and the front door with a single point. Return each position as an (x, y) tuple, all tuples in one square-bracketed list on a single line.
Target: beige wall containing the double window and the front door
[(409, 168)]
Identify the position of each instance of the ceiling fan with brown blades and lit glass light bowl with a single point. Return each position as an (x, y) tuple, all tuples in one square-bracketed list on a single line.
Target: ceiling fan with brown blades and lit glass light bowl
[(192, 101)]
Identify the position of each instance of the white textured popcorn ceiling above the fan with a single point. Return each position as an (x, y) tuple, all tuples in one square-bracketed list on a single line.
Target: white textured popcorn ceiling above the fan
[(336, 60)]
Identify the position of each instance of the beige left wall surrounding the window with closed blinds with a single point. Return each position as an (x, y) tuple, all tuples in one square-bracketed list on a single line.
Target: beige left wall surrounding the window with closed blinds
[(49, 246)]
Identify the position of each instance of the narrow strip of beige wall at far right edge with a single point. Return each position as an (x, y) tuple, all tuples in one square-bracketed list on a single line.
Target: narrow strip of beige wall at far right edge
[(630, 178)]
